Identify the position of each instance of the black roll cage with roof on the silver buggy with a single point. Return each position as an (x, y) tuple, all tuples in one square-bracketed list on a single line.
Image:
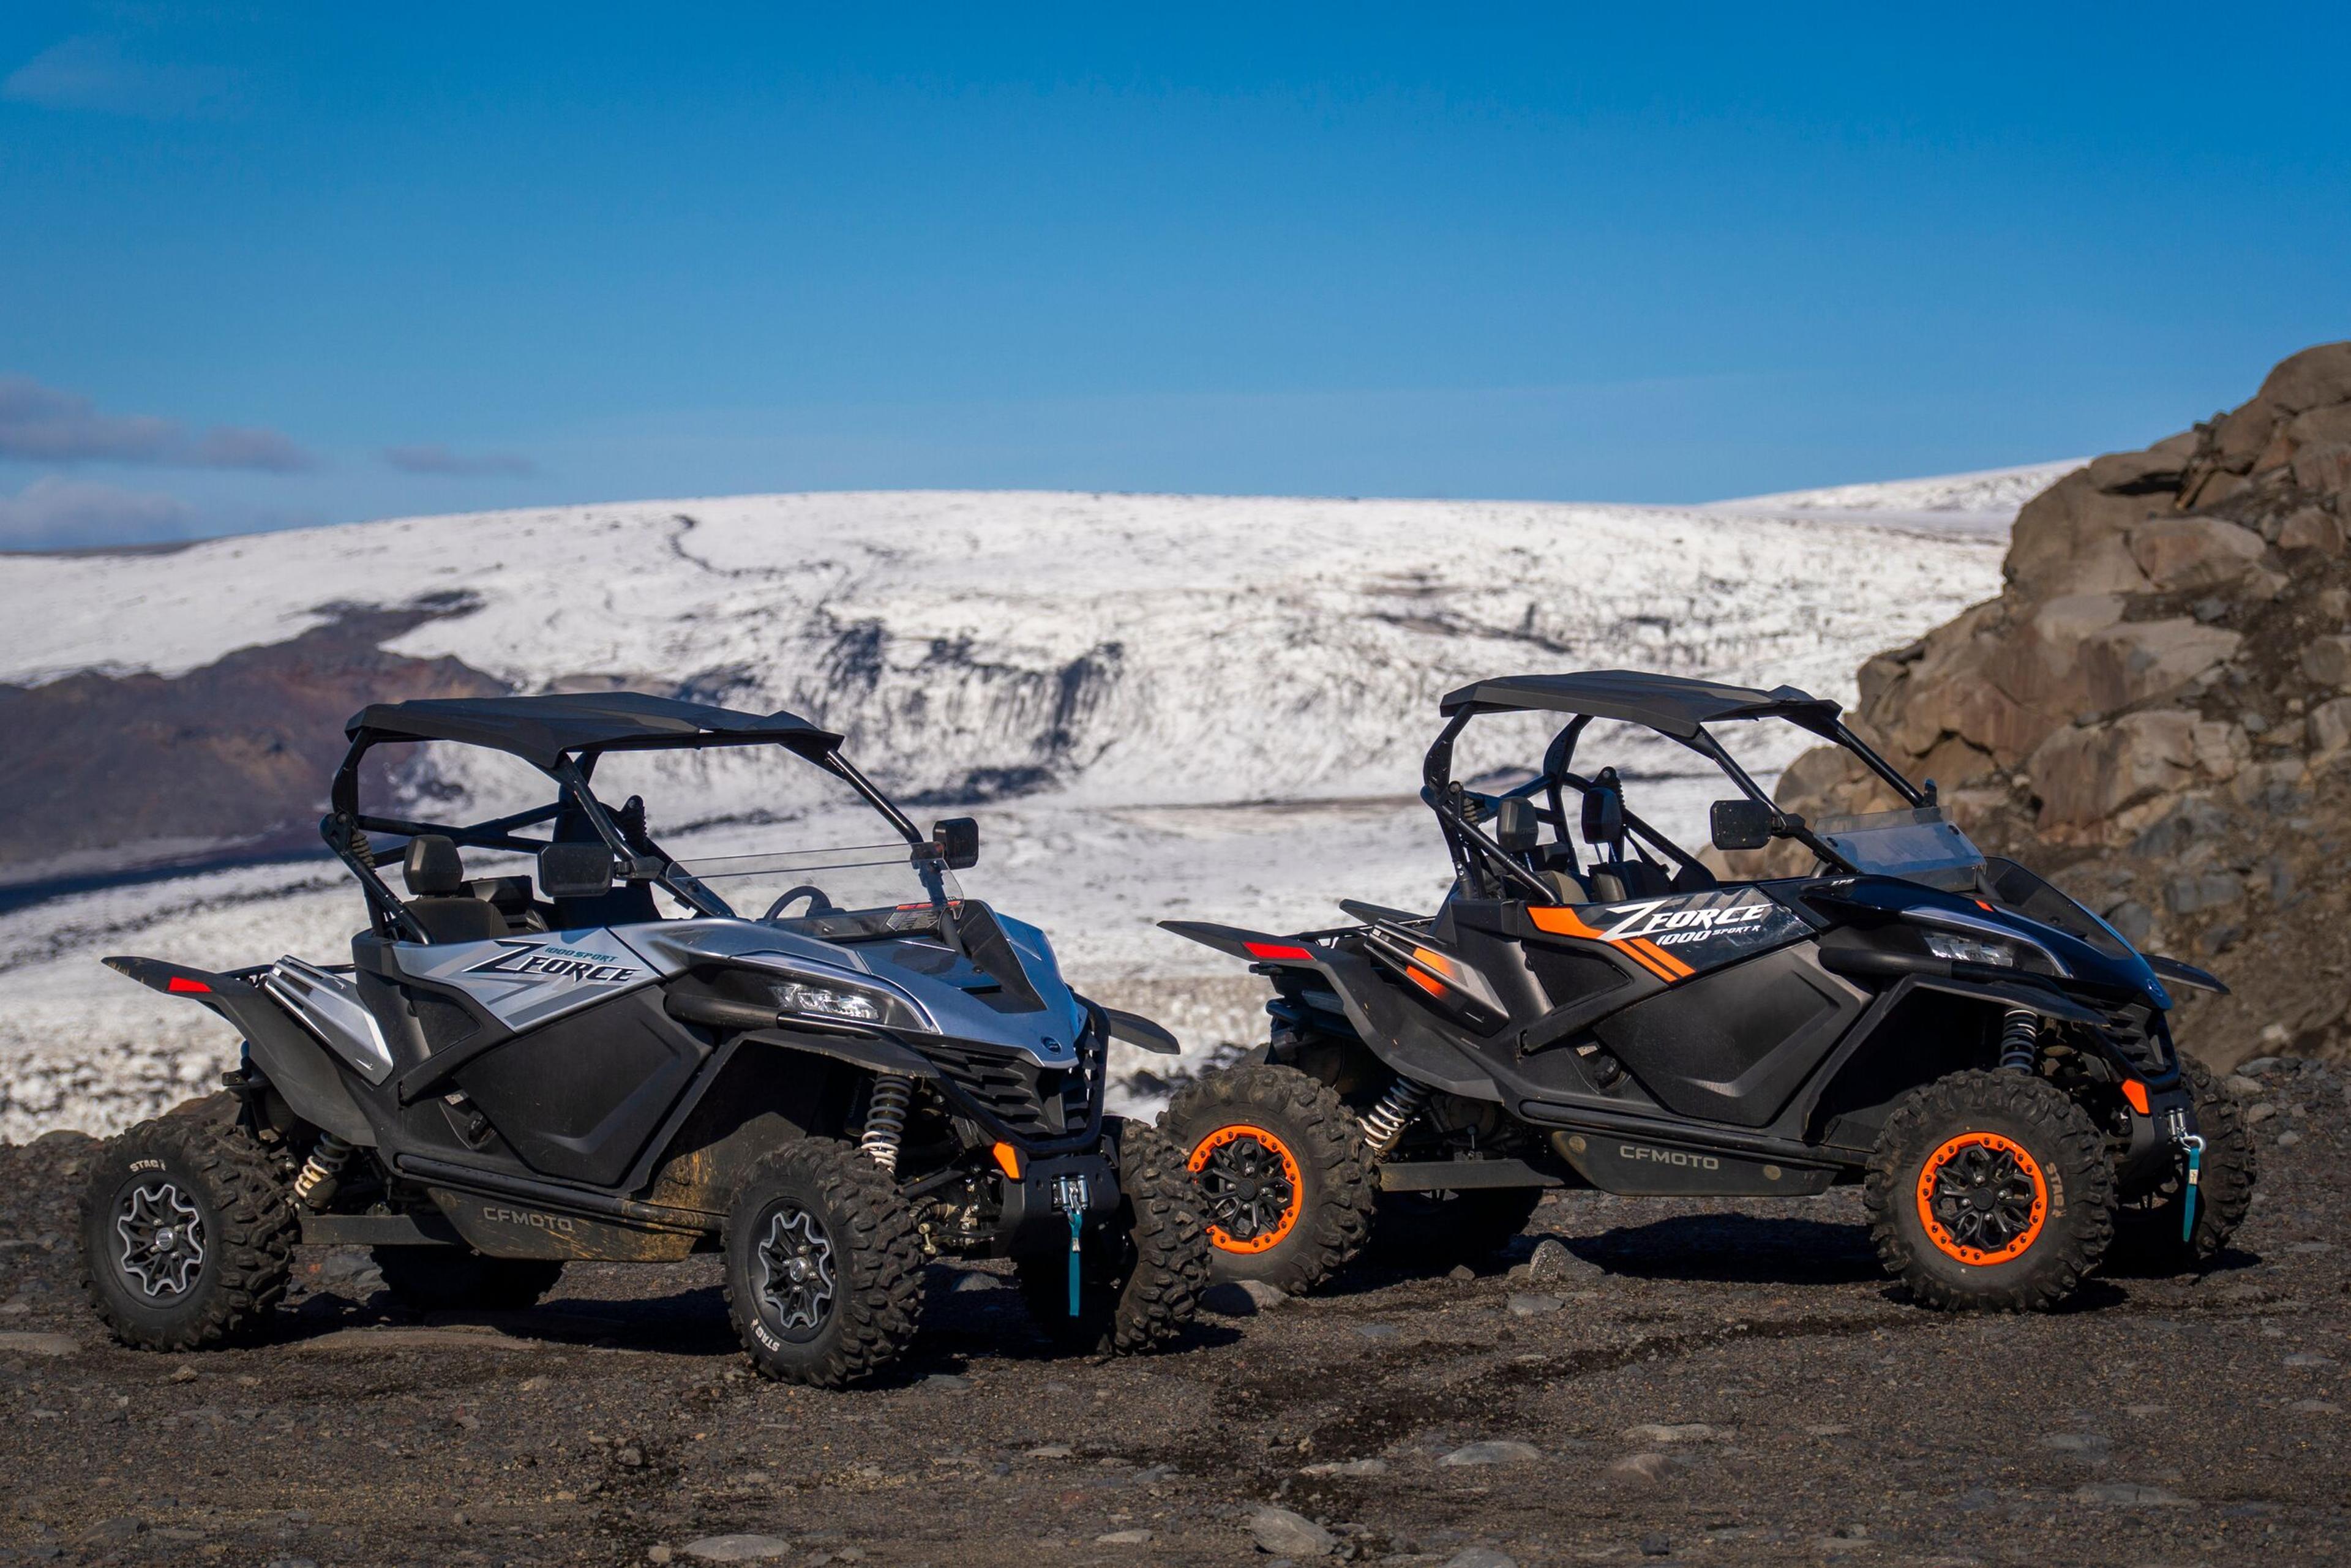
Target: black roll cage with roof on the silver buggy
[(563, 737)]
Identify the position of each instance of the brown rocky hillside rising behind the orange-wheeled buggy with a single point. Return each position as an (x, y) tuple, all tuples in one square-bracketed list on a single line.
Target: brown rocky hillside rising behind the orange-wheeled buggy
[(2157, 709)]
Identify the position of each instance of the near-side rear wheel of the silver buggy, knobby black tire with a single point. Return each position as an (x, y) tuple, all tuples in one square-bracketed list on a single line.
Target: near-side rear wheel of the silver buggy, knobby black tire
[(187, 1235)]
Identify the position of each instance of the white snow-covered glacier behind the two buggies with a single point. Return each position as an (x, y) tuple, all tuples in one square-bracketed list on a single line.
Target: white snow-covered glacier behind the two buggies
[(1160, 704)]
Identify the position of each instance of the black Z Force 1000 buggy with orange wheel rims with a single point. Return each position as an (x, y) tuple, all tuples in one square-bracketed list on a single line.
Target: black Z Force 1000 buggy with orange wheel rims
[(1978, 1050)]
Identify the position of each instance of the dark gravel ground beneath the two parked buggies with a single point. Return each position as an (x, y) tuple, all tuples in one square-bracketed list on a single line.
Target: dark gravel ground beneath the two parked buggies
[(1684, 1383)]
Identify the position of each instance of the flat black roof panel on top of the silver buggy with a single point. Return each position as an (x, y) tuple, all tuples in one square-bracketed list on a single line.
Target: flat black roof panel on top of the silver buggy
[(544, 728)]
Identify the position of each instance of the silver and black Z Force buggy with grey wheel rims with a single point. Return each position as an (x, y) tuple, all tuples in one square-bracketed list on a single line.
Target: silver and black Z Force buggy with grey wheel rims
[(826, 1064)]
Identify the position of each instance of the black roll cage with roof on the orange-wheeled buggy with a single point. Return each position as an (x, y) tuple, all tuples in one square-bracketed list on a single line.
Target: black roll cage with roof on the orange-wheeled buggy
[(1670, 706)]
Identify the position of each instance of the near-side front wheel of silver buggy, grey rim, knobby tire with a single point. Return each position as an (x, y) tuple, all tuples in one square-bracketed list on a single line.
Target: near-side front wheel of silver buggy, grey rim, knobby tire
[(824, 1266)]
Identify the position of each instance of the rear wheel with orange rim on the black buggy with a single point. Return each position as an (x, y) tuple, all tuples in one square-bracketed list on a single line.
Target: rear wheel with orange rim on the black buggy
[(1280, 1167)]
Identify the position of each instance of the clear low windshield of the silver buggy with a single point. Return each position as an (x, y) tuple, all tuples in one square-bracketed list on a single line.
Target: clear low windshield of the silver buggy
[(880, 887)]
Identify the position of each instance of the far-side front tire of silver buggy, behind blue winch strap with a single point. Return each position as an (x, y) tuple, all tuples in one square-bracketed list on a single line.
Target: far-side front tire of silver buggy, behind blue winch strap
[(1141, 1271)]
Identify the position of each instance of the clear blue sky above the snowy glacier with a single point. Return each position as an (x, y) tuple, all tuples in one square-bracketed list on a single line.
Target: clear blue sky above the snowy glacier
[(267, 264)]
